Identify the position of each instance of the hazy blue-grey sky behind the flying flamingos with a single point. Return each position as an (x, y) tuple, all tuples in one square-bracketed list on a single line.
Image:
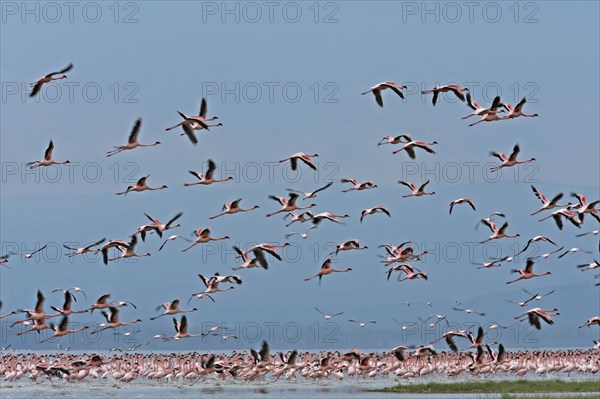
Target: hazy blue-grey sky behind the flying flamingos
[(170, 54)]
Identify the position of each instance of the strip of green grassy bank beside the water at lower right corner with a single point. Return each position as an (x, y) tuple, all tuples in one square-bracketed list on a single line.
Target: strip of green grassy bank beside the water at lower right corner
[(504, 387)]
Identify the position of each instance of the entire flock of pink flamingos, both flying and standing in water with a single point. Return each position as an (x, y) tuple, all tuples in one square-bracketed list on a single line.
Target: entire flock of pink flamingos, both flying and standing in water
[(400, 260)]
